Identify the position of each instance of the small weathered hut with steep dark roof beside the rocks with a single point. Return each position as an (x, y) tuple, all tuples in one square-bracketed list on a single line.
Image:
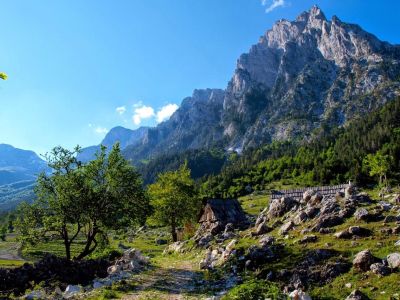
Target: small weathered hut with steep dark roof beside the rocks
[(217, 213)]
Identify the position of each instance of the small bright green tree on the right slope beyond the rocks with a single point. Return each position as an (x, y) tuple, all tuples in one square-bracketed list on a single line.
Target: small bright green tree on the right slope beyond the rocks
[(378, 164)]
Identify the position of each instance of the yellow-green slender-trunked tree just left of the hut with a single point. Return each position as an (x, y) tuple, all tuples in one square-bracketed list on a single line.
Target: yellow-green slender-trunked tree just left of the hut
[(174, 199)]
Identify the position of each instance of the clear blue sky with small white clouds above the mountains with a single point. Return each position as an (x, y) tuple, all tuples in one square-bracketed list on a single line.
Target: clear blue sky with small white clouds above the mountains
[(78, 68)]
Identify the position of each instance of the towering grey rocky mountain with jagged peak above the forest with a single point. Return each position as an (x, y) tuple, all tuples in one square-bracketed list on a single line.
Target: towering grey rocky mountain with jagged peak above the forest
[(302, 75)]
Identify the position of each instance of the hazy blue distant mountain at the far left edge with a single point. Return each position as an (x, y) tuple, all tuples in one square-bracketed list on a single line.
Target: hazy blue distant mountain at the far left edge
[(18, 172)]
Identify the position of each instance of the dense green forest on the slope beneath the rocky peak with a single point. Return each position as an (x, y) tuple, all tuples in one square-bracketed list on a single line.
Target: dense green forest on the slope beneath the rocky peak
[(333, 156)]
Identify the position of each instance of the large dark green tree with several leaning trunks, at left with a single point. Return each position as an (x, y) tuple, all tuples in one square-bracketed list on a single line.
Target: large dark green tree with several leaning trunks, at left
[(84, 200)]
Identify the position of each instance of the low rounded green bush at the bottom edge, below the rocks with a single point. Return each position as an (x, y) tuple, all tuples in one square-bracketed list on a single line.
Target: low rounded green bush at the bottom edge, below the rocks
[(255, 290)]
